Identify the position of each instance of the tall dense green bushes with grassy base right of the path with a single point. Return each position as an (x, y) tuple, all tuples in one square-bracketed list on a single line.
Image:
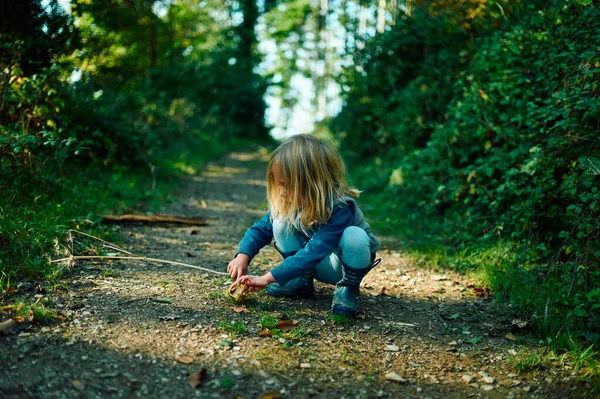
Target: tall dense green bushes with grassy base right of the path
[(486, 137)]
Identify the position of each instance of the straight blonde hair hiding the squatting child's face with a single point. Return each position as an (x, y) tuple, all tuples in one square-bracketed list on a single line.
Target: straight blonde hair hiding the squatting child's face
[(314, 178)]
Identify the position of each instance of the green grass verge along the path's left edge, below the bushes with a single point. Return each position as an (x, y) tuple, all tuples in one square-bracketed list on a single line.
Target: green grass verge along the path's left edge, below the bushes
[(42, 203)]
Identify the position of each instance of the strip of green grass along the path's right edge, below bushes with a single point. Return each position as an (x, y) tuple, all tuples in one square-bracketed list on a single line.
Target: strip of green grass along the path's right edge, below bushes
[(562, 312)]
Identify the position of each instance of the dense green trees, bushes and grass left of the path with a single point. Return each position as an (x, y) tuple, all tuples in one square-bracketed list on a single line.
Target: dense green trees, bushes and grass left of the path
[(99, 107)]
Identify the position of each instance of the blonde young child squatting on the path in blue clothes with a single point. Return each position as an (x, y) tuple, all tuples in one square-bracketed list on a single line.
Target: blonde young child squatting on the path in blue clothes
[(317, 226)]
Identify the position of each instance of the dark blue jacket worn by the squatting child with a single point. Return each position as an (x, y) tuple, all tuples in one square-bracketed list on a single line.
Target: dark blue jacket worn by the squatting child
[(322, 240)]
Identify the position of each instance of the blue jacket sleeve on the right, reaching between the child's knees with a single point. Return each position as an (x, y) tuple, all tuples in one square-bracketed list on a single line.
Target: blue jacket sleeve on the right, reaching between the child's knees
[(320, 245)]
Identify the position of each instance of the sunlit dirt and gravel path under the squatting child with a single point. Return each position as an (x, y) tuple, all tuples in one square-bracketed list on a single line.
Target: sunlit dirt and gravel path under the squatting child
[(141, 330)]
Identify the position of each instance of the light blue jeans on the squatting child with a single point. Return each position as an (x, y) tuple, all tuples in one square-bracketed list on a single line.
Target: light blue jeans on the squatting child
[(353, 250)]
